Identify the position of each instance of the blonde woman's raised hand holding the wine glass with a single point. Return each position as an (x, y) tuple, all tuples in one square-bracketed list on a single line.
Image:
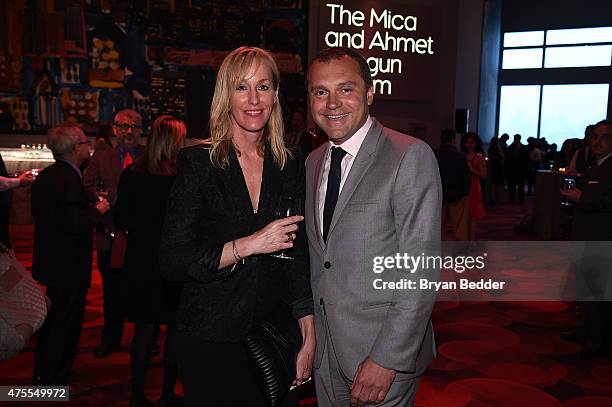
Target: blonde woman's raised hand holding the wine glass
[(276, 235)]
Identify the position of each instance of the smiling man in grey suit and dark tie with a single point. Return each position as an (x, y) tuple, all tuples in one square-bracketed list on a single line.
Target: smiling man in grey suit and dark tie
[(370, 192)]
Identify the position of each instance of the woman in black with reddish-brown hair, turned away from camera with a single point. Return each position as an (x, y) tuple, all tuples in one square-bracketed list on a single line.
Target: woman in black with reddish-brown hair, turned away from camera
[(140, 210)]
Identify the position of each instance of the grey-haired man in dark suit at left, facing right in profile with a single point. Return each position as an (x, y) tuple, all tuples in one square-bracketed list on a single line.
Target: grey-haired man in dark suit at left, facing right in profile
[(63, 227)]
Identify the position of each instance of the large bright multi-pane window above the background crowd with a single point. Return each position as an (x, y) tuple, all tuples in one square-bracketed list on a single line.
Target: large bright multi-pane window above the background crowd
[(553, 83)]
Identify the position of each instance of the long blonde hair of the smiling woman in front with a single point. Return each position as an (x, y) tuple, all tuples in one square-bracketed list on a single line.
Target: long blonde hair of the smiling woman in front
[(233, 70)]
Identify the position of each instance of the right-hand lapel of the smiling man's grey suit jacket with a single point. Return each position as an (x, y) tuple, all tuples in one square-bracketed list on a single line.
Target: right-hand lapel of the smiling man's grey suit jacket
[(363, 161)]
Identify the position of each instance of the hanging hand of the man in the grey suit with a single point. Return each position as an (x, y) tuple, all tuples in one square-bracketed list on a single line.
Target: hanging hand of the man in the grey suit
[(371, 383)]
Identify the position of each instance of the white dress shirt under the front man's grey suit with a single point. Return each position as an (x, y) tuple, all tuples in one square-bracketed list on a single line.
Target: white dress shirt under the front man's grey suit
[(351, 146)]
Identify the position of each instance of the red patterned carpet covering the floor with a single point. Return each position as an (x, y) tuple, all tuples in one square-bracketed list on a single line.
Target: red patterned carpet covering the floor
[(489, 354)]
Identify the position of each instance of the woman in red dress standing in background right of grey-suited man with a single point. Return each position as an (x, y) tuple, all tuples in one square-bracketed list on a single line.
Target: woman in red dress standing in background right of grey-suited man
[(471, 145)]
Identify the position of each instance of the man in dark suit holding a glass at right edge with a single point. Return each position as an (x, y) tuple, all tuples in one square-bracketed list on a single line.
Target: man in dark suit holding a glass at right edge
[(593, 223)]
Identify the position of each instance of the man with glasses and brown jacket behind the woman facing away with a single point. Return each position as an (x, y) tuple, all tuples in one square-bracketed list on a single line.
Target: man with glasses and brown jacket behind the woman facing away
[(104, 172)]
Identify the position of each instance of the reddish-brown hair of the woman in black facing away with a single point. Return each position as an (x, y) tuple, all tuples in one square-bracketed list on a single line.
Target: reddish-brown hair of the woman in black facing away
[(166, 139)]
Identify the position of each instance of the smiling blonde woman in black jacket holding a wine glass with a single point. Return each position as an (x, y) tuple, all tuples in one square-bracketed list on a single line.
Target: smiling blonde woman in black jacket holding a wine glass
[(220, 231)]
